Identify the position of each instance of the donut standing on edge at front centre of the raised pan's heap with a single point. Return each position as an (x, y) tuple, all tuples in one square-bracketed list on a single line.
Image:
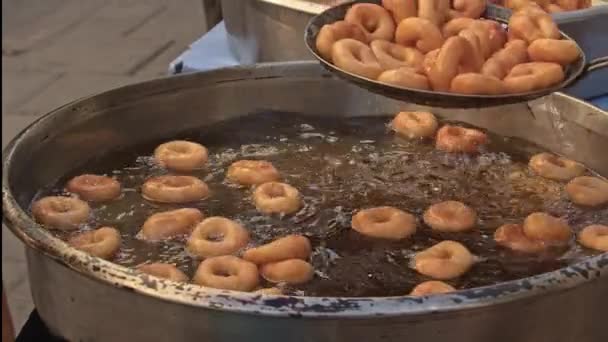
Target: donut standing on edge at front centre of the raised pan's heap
[(455, 52)]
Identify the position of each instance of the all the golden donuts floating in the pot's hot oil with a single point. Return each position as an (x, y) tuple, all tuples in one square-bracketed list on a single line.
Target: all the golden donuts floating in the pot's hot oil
[(230, 260)]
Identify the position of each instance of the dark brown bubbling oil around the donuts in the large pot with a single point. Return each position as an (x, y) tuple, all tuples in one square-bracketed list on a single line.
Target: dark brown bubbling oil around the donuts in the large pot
[(341, 165)]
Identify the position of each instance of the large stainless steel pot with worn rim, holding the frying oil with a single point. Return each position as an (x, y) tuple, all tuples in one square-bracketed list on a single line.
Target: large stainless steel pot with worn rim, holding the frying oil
[(83, 298)]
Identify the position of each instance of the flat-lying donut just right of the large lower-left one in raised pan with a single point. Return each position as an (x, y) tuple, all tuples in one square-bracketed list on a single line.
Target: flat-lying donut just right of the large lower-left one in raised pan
[(394, 56)]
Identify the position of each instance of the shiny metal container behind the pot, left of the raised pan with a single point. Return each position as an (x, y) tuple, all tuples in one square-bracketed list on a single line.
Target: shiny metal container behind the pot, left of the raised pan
[(270, 30)]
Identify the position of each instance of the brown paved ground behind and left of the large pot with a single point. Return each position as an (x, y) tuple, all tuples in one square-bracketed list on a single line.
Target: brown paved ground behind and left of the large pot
[(55, 51)]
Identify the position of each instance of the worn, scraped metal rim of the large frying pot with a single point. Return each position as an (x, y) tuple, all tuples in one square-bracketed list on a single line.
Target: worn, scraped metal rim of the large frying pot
[(38, 238)]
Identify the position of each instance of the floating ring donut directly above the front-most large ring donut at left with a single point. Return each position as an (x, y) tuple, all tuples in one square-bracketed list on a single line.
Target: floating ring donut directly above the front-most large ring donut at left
[(217, 236)]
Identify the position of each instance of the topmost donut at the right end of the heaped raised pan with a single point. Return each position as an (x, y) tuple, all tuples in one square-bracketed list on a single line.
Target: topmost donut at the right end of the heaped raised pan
[(532, 26)]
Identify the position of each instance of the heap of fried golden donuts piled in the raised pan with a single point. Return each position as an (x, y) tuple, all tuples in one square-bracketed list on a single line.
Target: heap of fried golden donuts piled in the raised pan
[(429, 45)]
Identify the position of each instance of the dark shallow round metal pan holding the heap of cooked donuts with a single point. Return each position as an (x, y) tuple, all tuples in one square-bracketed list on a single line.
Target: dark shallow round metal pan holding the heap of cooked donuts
[(437, 98)]
